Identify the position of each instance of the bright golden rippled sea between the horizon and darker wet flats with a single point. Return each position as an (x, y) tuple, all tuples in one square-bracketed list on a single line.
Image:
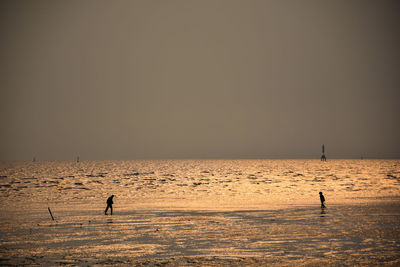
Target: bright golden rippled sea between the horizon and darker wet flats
[(202, 183)]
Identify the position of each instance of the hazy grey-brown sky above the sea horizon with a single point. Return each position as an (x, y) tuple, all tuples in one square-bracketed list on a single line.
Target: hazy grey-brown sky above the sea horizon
[(199, 79)]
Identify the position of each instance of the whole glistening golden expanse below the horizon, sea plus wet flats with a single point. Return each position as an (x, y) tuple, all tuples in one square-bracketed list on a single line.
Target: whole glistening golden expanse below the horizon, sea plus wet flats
[(205, 211)]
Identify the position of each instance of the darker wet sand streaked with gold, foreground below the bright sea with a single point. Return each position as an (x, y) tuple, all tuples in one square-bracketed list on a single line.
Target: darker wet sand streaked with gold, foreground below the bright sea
[(367, 234)]
